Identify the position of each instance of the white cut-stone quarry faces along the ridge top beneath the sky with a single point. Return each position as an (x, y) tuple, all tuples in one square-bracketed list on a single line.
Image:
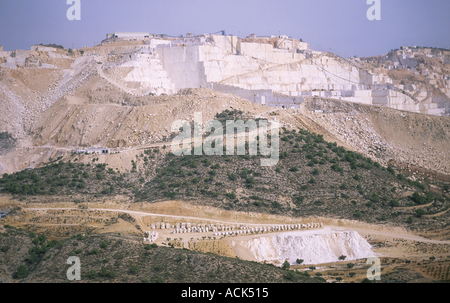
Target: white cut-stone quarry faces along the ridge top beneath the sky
[(275, 71)]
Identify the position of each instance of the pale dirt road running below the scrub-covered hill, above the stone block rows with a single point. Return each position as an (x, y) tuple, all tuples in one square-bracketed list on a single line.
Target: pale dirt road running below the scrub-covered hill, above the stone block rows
[(362, 231)]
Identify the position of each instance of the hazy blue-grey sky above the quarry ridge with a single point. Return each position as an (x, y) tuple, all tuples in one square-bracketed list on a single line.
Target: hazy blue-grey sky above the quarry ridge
[(341, 25)]
